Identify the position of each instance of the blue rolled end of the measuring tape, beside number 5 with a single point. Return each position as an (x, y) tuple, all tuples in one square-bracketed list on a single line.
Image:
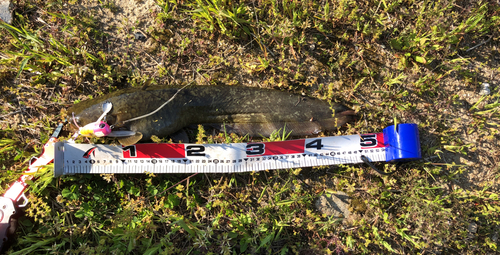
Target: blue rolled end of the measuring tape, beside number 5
[(402, 142)]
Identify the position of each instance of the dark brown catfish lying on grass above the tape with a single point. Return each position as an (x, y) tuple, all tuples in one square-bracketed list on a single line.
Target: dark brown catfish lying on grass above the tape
[(242, 110)]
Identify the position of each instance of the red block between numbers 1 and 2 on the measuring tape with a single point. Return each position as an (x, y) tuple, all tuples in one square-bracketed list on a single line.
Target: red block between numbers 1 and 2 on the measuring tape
[(153, 150)]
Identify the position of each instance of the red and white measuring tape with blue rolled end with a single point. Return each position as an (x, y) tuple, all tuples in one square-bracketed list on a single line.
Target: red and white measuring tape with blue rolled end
[(395, 143)]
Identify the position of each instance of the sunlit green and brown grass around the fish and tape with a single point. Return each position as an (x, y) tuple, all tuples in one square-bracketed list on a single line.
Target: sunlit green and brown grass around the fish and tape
[(394, 61)]
